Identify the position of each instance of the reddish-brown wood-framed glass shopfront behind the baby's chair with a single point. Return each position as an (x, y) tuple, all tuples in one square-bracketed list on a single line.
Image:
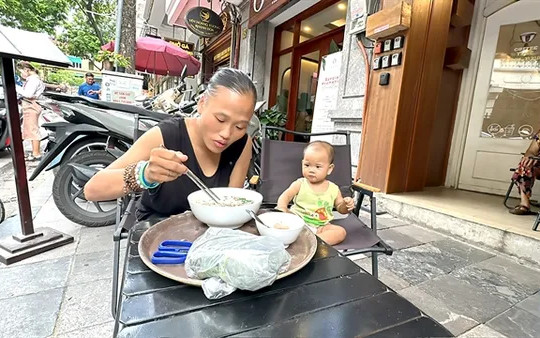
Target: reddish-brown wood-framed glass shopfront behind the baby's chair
[(299, 45)]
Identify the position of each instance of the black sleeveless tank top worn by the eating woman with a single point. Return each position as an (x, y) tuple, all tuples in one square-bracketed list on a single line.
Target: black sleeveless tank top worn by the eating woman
[(170, 198)]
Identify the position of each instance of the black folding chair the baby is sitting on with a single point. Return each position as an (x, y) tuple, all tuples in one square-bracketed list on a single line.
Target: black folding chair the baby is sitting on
[(280, 166)]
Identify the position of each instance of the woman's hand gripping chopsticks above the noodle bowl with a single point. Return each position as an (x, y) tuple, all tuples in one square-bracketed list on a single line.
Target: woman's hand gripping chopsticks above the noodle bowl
[(164, 165)]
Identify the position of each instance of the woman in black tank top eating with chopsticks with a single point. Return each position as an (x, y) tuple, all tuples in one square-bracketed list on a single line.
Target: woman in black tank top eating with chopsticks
[(214, 146)]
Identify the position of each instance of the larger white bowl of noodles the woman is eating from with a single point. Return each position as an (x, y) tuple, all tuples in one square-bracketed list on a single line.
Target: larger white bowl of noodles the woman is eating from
[(232, 214)]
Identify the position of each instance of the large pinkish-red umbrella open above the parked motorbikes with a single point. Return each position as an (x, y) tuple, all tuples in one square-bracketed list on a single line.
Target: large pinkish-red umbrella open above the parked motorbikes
[(160, 57)]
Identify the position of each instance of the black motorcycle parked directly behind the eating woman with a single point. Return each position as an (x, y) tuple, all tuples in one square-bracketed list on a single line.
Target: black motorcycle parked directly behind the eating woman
[(89, 128)]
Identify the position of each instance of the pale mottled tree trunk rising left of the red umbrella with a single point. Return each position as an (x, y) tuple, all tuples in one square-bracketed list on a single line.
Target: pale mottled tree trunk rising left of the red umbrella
[(128, 35)]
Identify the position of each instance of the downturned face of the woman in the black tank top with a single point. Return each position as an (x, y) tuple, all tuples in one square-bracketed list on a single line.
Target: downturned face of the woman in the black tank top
[(224, 118)]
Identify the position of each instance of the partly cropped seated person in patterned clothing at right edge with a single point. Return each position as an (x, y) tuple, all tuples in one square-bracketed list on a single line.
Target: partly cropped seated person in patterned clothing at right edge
[(525, 175)]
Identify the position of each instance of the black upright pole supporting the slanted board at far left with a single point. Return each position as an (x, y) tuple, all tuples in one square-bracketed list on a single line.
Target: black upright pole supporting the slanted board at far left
[(17, 153)]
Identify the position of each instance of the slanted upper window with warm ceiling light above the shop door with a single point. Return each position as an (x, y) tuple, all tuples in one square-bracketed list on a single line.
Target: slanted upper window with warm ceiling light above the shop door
[(325, 21)]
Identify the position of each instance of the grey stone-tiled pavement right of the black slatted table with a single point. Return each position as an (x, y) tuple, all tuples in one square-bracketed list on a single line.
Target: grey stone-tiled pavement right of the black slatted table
[(472, 291)]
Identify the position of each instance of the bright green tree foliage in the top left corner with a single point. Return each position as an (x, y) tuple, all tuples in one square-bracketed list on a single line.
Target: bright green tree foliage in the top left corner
[(34, 15)]
